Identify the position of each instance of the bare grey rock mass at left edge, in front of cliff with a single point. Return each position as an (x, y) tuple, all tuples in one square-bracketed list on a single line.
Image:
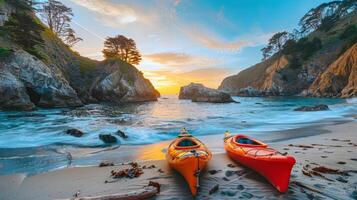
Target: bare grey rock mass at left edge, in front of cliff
[(31, 83)]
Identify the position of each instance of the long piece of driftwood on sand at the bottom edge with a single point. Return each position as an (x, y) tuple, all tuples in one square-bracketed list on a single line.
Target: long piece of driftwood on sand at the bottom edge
[(145, 193)]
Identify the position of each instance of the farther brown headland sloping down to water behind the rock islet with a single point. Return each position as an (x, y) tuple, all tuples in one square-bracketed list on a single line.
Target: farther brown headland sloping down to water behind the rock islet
[(269, 78)]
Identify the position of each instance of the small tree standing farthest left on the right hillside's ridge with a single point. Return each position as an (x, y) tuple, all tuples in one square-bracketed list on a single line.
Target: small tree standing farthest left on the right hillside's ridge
[(276, 43)]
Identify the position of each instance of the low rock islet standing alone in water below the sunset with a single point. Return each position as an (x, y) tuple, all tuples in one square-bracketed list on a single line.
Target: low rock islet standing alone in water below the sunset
[(199, 93)]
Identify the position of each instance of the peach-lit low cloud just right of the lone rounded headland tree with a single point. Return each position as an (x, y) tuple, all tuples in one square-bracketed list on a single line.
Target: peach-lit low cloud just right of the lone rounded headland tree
[(172, 59)]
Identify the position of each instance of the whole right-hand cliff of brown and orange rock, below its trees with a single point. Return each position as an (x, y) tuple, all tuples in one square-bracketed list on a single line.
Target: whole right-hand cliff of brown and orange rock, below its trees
[(281, 75)]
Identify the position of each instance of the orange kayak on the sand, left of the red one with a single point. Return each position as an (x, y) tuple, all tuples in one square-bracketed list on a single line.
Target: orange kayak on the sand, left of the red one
[(189, 157)]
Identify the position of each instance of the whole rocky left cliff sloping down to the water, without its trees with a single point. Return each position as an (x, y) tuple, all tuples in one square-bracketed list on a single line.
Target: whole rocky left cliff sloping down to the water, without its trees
[(62, 78)]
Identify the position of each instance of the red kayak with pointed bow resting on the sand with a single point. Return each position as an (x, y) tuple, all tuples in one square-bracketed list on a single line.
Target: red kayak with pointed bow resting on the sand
[(271, 164)]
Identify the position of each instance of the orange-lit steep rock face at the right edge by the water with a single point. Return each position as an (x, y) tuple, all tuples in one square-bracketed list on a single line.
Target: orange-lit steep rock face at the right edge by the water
[(340, 78)]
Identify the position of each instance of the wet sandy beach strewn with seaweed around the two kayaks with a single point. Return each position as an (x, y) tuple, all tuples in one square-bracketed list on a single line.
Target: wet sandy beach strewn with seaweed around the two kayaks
[(333, 147)]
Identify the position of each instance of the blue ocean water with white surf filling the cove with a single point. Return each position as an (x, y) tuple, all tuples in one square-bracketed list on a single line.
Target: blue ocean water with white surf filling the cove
[(24, 136)]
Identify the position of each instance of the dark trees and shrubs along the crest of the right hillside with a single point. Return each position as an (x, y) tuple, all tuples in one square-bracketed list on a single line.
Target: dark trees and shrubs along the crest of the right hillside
[(298, 45)]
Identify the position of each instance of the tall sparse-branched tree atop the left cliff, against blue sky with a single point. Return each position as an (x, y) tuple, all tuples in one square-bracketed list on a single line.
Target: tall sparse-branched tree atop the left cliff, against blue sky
[(58, 17)]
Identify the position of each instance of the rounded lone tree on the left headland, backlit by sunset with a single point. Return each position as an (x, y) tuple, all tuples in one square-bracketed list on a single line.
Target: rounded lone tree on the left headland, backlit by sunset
[(122, 48)]
